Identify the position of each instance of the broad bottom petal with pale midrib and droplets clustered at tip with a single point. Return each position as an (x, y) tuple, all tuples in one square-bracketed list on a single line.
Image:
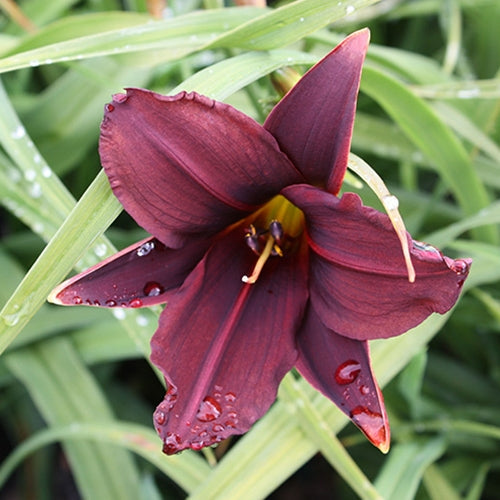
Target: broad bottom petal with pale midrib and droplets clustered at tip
[(224, 346)]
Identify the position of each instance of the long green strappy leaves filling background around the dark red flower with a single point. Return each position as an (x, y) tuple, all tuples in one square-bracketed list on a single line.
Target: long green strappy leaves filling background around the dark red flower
[(77, 391)]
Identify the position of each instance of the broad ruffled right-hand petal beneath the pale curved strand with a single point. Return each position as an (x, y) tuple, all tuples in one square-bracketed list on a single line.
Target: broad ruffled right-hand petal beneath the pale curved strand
[(358, 278)]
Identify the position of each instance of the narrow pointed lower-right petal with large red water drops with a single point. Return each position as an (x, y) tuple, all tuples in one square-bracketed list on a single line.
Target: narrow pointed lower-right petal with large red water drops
[(340, 369)]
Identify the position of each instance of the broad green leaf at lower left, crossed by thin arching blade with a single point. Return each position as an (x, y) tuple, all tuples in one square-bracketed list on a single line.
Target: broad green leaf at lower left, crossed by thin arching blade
[(65, 392)]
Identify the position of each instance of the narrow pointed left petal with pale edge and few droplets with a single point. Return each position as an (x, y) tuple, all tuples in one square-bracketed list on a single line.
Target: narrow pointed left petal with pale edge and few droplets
[(140, 275)]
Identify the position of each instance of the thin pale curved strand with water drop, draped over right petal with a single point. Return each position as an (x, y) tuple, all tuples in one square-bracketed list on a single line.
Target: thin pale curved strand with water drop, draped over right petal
[(390, 203)]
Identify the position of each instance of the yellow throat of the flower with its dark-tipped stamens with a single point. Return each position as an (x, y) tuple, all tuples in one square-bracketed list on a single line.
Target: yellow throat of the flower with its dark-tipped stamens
[(276, 226)]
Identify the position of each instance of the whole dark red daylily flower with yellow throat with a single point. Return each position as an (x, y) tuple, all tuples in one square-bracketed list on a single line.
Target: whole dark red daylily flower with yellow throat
[(262, 266)]
